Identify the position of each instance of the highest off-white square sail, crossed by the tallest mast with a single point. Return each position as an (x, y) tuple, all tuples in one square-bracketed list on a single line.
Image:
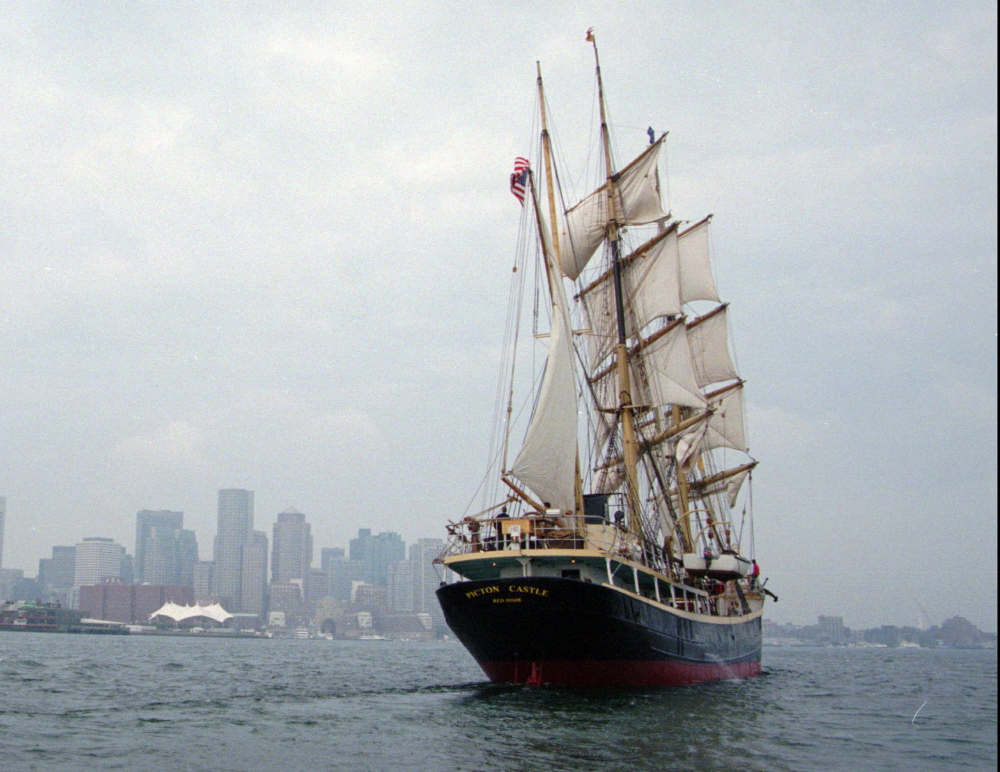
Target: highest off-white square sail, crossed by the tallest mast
[(587, 223)]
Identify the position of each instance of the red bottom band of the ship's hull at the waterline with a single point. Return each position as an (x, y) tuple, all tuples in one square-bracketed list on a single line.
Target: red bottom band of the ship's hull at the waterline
[(615, 672)]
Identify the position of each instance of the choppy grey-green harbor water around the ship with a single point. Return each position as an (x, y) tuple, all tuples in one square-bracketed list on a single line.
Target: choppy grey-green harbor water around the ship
[(89, 702)]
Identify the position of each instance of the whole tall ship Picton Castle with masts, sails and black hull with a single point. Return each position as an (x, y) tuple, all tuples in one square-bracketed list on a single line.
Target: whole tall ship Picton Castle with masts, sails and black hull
[(615, 547)]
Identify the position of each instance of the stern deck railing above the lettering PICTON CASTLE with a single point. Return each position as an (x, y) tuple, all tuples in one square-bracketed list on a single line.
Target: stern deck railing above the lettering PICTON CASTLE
[(501, 534)]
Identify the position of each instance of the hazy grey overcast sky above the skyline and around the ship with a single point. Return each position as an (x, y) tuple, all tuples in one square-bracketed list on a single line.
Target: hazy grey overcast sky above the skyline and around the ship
[(268, 246)]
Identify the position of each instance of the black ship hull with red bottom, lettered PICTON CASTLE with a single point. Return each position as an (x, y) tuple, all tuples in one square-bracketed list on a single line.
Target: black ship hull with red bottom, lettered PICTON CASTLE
[(564, 631)]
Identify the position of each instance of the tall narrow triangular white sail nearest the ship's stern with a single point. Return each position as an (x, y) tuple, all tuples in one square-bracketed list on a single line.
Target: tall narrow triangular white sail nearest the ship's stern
[(547, 461)]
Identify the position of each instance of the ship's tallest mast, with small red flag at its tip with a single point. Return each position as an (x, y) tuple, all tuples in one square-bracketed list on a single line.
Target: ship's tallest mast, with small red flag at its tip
[(627, 417)]
